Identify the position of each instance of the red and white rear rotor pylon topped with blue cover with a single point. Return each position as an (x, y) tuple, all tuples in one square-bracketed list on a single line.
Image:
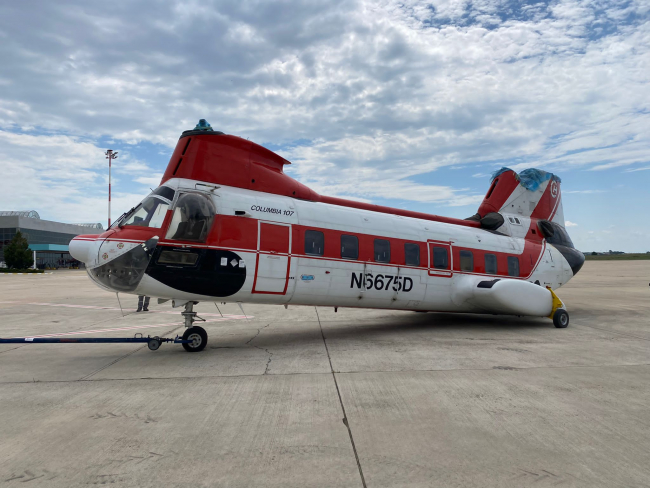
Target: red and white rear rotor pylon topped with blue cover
[(533, 194)]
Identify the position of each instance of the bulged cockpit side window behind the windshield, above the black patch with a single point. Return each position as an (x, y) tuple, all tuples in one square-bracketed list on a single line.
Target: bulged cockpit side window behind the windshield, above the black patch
[(192, 218)]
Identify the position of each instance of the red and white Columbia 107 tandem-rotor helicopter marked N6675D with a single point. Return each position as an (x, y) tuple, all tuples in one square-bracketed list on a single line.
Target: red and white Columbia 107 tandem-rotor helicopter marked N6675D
[(226, 224)]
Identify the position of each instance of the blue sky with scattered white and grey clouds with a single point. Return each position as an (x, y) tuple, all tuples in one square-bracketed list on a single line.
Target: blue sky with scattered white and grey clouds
[(402, 103)]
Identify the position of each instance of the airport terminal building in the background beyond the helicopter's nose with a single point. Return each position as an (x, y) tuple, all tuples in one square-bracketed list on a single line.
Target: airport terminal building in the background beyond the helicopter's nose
[(49, 240)]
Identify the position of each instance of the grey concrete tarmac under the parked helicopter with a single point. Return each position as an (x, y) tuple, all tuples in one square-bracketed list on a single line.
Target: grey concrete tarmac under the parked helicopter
[(308, 397)]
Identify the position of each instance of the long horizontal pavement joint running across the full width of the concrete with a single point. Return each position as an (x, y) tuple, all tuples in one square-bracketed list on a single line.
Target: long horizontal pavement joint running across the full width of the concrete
[(212, 377)]
